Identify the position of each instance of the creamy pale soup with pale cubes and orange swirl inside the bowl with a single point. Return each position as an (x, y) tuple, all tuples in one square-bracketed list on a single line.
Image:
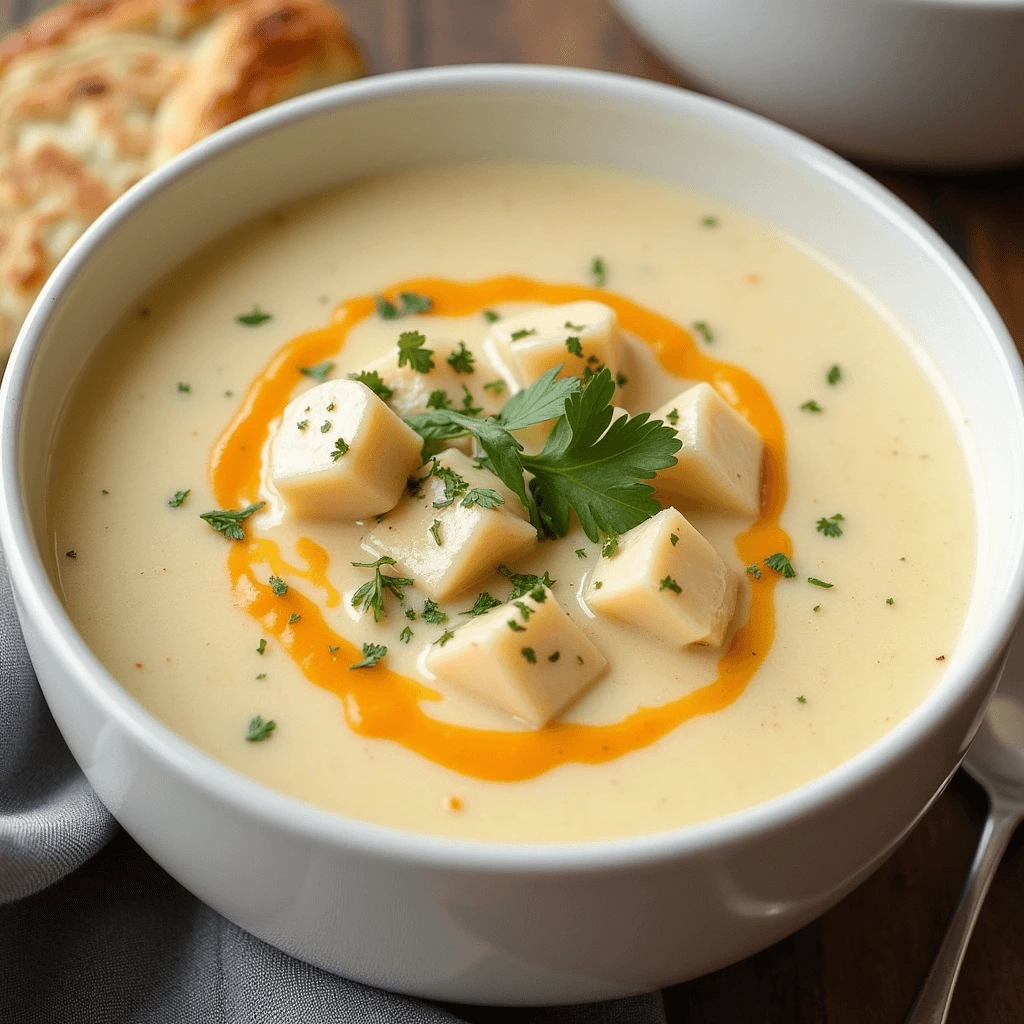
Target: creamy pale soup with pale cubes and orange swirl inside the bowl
[(840, 591)]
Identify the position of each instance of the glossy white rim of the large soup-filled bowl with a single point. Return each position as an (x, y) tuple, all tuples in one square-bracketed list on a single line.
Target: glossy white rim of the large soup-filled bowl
[(40, 604)]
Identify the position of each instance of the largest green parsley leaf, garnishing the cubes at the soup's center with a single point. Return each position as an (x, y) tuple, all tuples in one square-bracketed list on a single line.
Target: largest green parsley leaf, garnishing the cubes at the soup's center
[(596, 467)]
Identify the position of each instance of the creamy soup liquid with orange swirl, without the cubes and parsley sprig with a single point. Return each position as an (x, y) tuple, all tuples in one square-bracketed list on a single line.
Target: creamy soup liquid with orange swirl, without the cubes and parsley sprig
[(849, 645)]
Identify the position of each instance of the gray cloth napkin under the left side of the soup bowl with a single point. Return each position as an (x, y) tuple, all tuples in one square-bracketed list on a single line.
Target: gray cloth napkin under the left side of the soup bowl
[(94, 932)]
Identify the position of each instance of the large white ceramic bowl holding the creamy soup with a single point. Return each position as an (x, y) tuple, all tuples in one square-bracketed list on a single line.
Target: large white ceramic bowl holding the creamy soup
[(490, 923)]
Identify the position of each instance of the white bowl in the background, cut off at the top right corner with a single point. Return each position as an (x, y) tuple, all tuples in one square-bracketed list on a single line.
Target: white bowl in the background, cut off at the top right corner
[(927, 83)]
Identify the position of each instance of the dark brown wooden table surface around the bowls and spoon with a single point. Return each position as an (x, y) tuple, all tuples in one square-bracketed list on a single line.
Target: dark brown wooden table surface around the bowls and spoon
[(863, 962)]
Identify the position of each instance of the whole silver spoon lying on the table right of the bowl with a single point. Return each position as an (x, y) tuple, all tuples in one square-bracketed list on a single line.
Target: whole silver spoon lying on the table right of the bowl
[(996, 760)]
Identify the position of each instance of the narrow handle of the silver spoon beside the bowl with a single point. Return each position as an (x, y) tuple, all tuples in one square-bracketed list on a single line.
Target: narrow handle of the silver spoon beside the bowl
[(932, 1004)]
